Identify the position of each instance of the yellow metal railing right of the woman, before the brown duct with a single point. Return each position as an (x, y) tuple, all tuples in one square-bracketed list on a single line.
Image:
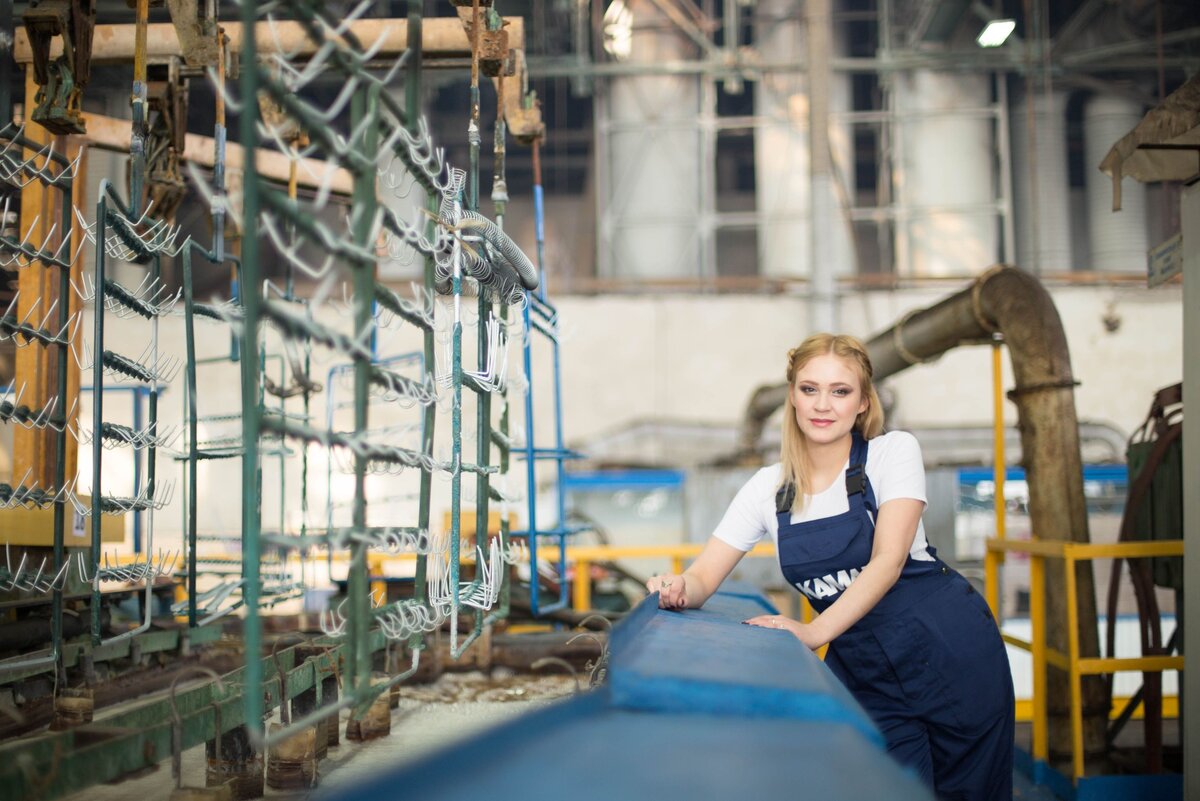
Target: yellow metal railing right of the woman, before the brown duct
[(1072, 663)]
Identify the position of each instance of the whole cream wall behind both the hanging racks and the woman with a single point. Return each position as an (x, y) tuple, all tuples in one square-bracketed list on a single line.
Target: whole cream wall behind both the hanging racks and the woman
[(683, 358)]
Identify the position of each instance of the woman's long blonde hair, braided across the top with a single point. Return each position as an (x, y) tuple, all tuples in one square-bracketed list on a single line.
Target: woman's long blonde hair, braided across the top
[(794, 455)]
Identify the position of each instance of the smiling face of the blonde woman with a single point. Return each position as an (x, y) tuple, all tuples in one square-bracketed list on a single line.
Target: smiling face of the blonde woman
[(829, 398)]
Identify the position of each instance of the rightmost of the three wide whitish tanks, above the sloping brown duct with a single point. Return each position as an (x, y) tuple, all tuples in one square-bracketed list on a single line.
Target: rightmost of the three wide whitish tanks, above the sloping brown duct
[(946, 185)]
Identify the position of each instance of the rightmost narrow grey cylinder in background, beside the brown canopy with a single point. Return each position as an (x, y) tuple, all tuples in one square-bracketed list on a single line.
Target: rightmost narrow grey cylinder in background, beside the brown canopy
[(1119, 239)]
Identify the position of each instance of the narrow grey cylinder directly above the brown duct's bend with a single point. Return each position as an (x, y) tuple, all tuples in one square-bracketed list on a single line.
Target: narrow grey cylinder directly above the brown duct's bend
[(1040, 182)]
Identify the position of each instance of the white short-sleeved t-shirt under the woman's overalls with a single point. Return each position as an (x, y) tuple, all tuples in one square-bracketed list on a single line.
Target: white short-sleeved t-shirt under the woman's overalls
[(893, 467)]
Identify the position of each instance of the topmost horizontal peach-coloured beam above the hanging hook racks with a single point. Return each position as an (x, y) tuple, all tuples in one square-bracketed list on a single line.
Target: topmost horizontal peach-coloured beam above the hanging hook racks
[(441, 38)]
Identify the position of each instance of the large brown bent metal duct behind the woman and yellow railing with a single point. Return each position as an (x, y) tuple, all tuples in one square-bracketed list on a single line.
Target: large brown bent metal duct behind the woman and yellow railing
[(1015, 304)]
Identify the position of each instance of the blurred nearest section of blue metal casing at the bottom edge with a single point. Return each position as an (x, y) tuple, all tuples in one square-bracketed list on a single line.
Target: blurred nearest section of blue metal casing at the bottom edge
[(587, 751)]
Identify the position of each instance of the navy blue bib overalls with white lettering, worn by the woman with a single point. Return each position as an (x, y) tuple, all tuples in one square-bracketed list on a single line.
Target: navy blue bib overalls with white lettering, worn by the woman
[(927, 663)]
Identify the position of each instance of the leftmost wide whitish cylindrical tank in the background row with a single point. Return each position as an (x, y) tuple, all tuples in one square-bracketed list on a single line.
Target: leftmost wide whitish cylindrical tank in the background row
[(652, 176)]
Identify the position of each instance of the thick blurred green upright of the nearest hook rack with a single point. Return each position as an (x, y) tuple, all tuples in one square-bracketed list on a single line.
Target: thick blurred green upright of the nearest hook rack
[(250, 290)]
